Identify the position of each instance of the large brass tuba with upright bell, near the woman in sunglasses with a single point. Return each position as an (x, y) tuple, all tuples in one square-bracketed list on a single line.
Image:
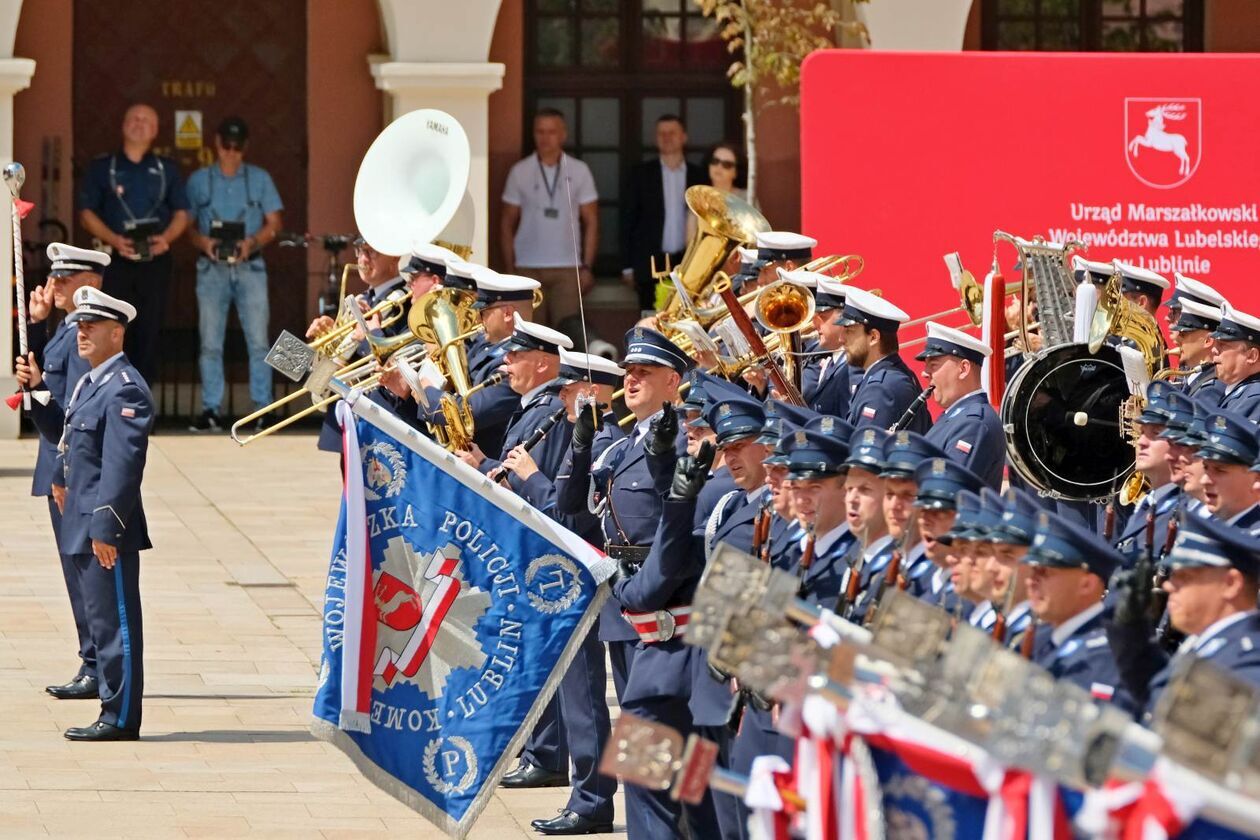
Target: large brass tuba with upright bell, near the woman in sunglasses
[(723, 224)]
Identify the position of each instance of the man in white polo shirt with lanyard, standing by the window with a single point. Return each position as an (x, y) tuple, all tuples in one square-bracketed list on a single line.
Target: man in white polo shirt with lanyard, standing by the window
[(550, 224)]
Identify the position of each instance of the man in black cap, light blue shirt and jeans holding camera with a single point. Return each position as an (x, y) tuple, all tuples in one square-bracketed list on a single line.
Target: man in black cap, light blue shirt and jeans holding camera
[(238, 210)]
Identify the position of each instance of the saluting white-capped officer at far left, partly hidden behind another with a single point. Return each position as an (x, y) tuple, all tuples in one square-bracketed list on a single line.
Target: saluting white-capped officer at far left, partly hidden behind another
[(62, 367)]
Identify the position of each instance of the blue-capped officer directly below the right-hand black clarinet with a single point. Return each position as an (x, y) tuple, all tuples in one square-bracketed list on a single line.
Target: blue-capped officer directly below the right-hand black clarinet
[(903, 454)]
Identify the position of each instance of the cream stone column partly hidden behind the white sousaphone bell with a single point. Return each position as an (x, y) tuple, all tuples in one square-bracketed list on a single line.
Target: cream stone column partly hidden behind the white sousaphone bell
[(463, 90)]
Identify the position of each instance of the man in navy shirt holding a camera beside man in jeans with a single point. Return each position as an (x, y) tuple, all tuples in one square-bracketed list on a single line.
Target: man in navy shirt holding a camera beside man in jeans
[(134, 202)]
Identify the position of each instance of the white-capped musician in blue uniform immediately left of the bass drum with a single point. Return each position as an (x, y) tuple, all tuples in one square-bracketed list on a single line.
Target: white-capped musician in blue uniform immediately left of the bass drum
[(970, 431)]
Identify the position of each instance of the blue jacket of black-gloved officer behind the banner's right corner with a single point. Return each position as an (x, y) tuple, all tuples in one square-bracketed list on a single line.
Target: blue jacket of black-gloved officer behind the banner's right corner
[(576, 489)]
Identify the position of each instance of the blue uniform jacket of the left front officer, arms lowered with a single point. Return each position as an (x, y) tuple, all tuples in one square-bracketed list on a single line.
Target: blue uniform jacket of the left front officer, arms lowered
[(106, 445)]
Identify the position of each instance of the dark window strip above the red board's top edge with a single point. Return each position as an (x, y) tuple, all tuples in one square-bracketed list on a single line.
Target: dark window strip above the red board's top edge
[(1094, 26)]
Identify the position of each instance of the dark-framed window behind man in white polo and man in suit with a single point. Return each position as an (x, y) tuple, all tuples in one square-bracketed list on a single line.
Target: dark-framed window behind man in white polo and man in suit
[(613, 67)]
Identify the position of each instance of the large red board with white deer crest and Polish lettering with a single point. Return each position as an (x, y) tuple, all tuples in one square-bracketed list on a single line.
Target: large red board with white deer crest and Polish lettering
[(1152, 159)]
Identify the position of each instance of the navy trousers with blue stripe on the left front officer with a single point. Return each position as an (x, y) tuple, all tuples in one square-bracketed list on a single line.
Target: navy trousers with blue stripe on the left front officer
[(112, 603)]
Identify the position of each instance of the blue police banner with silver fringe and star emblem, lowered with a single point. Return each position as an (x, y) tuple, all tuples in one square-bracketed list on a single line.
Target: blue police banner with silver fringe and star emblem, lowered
[(452, 613)]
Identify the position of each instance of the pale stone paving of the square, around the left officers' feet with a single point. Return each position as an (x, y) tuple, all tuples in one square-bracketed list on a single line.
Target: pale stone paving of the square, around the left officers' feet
[(232, 635)]
